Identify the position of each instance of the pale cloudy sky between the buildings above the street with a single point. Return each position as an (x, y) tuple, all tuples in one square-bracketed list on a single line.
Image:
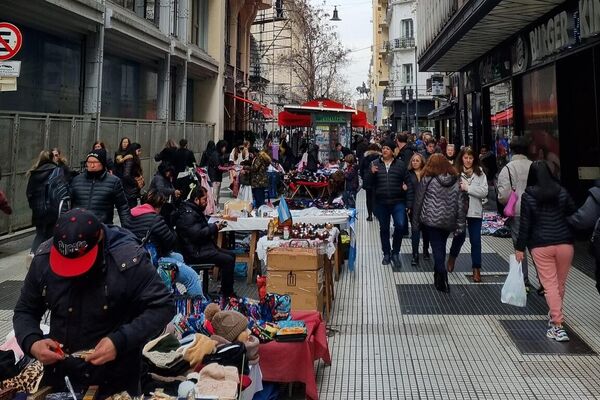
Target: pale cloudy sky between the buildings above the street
[(356, 32)]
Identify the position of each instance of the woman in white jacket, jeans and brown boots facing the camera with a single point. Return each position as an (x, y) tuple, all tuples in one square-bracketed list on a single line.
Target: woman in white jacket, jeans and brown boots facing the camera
[(473, 183)]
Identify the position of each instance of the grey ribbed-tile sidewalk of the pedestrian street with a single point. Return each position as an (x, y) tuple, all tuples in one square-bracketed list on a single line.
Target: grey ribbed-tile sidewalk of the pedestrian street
[(432, 345)]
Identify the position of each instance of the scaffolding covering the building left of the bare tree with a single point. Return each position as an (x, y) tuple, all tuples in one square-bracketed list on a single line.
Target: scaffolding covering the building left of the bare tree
[(271, 78)]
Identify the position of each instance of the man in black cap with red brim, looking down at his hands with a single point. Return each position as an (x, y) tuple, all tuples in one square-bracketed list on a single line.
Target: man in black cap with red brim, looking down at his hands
[(106, 301)]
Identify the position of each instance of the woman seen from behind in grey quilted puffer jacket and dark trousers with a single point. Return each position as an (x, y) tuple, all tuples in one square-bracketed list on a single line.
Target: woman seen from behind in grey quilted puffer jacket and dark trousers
[(440, 209)]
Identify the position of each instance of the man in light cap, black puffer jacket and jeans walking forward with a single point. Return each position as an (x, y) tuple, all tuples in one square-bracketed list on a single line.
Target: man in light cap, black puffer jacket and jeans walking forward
[(387, 177)]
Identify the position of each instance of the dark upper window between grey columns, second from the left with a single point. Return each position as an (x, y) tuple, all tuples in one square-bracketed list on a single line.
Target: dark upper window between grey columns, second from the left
[(129, 89)]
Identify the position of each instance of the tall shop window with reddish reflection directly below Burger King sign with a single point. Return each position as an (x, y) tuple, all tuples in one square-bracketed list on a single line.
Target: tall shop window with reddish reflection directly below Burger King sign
[(540, 116)]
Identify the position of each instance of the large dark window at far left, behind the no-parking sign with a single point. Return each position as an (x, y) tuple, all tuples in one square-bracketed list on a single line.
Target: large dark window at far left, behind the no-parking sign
[(50, 80)]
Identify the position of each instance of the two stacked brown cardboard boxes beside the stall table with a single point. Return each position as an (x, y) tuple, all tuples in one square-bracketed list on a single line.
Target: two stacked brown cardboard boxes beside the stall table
[(297, 272)]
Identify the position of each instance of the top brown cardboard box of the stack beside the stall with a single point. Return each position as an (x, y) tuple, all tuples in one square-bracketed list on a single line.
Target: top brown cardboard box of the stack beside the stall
[(295, 259)]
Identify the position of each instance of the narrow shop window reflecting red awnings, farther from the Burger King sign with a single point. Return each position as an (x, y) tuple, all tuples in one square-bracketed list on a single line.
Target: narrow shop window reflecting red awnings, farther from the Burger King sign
[(501, 120)]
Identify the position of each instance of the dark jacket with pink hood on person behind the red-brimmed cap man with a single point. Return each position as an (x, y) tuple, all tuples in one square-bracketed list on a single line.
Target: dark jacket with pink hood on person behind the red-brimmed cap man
[(143, 218)]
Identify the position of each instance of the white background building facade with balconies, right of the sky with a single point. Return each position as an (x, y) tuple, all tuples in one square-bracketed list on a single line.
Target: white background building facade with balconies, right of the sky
[(408, 93)]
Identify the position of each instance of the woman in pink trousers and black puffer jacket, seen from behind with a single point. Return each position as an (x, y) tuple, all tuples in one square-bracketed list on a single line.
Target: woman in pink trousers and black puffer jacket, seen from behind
[(544, 230)]
